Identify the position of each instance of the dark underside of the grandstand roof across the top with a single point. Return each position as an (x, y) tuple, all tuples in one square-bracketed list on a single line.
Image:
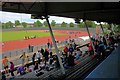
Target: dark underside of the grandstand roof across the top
[(95, 11)]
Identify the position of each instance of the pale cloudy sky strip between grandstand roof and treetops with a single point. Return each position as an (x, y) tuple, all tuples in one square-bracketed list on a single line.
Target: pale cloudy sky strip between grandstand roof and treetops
[(9, 16)]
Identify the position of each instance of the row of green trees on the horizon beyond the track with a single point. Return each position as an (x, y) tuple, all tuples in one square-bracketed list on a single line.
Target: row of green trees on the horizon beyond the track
[(90, 24)]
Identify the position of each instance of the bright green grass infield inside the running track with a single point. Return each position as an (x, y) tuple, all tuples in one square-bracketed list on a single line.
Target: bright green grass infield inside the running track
[(19, 35)]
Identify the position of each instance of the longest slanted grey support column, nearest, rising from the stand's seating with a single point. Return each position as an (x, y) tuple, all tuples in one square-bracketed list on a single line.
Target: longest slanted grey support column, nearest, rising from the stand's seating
[(56, 48)]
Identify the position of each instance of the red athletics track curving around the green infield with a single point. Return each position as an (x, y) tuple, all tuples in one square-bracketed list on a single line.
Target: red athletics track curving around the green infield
[(17, 44)]
